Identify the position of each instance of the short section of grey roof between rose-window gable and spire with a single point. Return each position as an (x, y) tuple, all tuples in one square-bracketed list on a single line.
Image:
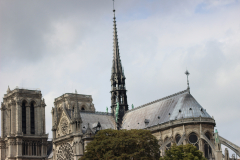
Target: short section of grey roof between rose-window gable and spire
[(106, 120)]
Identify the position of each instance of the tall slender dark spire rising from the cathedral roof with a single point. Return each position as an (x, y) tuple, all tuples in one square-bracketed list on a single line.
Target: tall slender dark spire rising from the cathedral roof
[(118, 89)]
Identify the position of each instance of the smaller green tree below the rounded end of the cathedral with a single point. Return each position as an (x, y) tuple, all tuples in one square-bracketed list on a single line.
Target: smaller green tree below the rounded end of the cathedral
[(183, 152)]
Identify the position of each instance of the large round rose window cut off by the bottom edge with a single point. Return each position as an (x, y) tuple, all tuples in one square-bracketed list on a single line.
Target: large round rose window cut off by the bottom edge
[(64, 152)]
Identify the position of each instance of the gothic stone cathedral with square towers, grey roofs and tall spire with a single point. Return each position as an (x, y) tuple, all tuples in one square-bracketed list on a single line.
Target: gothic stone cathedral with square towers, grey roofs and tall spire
[(177, 118)]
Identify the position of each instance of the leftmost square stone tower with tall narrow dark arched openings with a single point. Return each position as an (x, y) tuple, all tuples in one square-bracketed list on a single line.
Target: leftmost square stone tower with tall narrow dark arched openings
[(23, 130)]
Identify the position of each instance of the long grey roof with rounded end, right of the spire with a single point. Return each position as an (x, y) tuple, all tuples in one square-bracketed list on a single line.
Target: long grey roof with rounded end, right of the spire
[(177, 106)]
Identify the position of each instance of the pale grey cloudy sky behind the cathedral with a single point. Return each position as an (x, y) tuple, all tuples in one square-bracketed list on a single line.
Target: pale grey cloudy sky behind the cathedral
[(59, 46)]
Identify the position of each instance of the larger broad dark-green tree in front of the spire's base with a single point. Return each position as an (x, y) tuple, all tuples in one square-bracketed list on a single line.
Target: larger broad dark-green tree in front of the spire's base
[(122, 145)]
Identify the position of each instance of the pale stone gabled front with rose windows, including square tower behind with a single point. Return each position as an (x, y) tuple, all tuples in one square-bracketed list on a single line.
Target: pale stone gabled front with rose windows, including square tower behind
[(68, 139)]
